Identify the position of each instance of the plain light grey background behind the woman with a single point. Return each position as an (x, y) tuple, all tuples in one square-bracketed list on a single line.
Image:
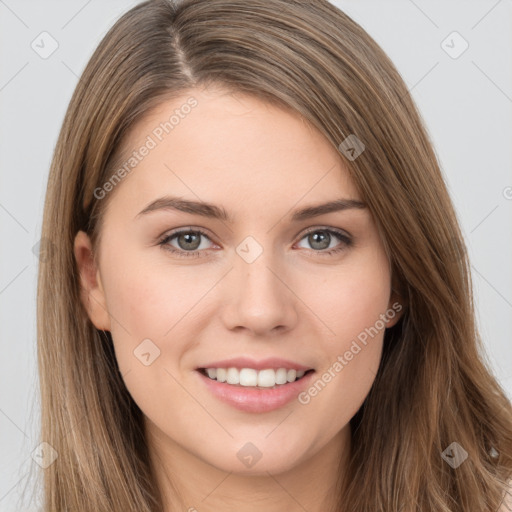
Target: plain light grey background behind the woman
[(466, 103)]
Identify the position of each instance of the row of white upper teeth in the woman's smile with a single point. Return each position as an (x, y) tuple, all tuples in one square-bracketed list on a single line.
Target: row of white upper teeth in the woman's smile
[(250, 377)]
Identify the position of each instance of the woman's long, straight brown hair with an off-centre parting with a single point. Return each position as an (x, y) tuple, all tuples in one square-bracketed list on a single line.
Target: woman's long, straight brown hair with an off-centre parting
[(434, 386)]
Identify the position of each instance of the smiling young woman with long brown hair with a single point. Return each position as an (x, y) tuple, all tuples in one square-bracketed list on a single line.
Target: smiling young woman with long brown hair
[(260, 296)]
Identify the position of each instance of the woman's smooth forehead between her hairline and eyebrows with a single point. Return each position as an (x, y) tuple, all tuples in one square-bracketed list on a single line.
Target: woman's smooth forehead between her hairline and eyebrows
[(216, 146)]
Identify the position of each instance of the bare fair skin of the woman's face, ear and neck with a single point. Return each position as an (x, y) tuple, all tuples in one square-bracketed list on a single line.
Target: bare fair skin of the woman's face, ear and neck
[(294, 301)]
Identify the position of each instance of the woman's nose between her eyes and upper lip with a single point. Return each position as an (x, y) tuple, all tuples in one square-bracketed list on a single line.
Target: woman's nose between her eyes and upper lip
[(258, 298)]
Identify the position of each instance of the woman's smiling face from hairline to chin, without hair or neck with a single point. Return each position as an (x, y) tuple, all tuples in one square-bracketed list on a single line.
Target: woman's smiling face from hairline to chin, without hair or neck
[(312, 289)]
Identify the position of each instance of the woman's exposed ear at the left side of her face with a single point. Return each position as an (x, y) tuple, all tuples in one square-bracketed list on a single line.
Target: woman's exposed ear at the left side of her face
[(91, 293)]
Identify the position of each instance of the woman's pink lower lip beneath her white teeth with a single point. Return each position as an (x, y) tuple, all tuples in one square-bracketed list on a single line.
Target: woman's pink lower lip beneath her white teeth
[(250, 399)]
